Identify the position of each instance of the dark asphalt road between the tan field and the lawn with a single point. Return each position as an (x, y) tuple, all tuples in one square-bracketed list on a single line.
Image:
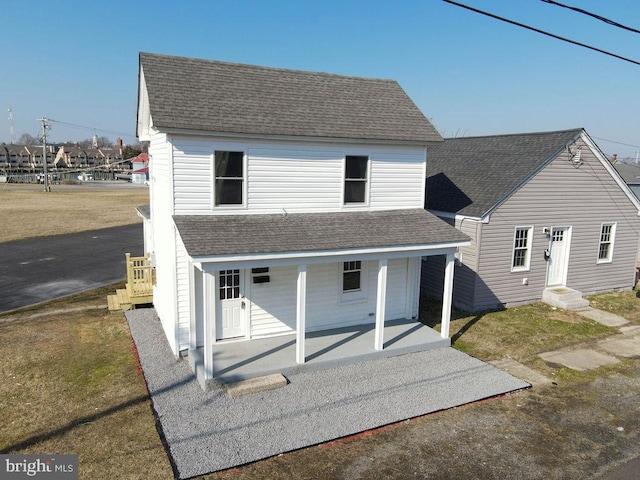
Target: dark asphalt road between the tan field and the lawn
[(39, 269)]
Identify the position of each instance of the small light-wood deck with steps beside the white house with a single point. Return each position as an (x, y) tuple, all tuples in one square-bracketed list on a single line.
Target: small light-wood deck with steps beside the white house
[(139, 288)]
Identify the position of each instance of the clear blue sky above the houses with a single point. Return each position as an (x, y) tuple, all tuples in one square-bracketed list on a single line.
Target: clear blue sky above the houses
[(76, 61)]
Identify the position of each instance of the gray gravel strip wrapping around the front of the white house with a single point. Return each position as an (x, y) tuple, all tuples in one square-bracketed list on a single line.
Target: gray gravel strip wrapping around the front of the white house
[(210, 431)]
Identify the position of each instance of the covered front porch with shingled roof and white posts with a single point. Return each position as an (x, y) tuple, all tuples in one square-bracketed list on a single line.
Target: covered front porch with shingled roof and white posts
[(306, 259)]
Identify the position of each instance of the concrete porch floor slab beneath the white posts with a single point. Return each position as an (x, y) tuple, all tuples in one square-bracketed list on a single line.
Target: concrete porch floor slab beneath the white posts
[(240, 360)]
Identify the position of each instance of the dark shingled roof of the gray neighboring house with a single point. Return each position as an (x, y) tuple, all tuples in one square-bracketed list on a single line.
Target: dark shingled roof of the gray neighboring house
[(470, 175)]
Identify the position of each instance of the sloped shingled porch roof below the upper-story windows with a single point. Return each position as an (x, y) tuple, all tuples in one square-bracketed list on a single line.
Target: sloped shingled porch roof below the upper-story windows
[(206, 235)]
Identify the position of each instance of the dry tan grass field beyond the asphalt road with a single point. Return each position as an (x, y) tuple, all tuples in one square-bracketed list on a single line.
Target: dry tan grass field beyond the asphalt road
[(27, 211)]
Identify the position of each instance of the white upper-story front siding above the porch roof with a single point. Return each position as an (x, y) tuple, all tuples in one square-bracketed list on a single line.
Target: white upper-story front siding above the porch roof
[(296, 177)]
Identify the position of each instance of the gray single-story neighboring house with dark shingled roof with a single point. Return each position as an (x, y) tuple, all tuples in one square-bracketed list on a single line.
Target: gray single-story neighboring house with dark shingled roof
[(543, 210)]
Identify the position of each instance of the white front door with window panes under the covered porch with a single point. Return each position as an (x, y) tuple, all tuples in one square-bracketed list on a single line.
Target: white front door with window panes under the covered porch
[(233, 305)]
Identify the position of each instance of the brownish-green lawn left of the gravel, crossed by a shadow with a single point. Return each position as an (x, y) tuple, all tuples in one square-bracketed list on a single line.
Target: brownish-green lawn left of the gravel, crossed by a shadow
[(71, 385)]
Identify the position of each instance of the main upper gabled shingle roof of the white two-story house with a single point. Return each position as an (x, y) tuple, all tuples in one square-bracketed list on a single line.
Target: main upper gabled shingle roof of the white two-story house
[(193, 94)]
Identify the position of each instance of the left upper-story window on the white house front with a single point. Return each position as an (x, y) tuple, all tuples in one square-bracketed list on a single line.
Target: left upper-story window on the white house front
[(229, 178)]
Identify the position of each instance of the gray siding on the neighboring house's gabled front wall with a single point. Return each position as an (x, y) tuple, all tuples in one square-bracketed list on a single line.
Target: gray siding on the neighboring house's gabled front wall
[(560, 195)]
